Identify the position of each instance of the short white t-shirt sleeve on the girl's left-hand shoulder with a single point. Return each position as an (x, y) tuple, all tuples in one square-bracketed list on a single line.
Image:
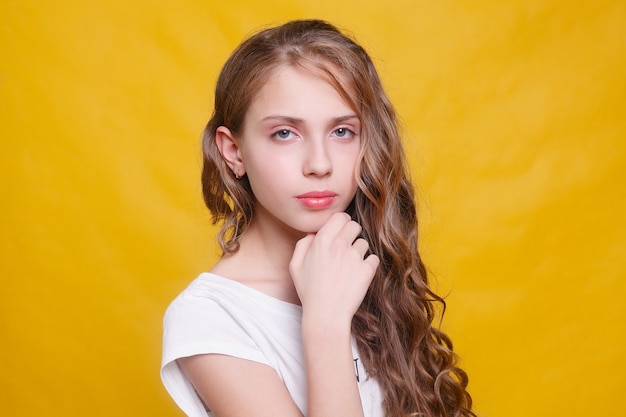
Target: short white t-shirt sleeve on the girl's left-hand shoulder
[(199, 325)]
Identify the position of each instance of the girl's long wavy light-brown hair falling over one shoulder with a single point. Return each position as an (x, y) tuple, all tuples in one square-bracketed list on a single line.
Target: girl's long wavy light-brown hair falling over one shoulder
[(411, 358)]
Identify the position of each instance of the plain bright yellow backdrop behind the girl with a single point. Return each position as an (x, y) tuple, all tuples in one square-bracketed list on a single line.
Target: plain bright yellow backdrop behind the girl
[(515, 114)]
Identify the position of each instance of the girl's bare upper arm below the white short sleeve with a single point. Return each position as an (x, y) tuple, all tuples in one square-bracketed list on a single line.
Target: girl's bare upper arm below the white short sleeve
[(231, 386)]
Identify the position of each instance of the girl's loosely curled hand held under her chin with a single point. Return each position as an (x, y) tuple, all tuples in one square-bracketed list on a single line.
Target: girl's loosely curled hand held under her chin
[(330, 271)]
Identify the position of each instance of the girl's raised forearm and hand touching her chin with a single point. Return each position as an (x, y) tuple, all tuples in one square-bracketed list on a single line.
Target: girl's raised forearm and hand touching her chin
[(332, 277)]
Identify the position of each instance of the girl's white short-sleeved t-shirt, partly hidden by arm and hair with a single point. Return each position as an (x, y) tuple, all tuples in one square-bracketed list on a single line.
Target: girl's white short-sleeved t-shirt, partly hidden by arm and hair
[(218, 315)]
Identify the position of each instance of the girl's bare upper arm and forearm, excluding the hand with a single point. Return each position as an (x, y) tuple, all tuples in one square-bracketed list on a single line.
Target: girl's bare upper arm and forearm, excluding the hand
[(238, 387)]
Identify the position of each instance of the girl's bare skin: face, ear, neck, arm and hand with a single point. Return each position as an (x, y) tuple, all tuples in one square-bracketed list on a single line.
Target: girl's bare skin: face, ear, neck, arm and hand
[(299, 137)]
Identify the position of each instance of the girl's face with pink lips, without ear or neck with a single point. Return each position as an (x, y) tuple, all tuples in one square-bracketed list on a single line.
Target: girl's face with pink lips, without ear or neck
[(299, 147)]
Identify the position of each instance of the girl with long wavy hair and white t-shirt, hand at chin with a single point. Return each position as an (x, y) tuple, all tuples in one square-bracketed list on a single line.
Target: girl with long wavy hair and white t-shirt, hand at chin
[(319, 305)]
